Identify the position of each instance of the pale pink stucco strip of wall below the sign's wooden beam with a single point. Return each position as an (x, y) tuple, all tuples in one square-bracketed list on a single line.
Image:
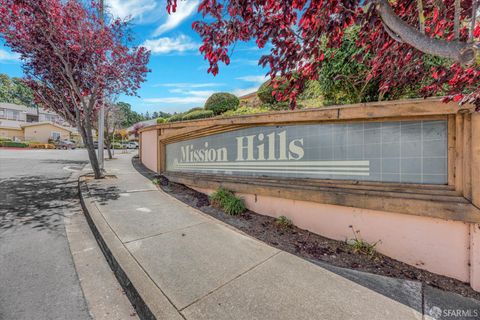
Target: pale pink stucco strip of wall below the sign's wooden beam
[(436, 245)]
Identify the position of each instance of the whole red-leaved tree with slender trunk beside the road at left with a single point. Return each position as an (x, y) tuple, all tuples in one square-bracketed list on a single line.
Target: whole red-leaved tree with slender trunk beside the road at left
[(72, 60)]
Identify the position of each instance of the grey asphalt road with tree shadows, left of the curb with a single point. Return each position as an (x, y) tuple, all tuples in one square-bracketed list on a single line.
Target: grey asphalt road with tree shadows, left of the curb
[(37, 275)]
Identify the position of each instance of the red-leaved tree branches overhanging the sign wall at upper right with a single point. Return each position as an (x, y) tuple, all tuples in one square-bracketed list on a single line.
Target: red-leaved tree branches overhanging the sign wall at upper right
[(398, 35)]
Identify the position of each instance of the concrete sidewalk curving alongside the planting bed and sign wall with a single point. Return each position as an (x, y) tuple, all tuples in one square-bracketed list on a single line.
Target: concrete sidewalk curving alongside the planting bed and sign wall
[(177, 262)]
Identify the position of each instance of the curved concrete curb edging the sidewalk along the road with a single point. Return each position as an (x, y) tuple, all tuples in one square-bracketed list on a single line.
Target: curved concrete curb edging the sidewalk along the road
[(147, 299)]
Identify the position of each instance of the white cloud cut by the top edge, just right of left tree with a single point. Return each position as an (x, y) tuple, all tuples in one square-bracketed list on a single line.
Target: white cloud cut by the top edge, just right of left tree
[(130, 9)]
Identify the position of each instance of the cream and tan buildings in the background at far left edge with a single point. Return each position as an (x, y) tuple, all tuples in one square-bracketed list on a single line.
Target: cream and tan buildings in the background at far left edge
[(22, 123)]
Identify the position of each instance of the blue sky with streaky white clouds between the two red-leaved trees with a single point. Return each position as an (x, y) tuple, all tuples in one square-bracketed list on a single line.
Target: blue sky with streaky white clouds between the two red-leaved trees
[(179, 79)]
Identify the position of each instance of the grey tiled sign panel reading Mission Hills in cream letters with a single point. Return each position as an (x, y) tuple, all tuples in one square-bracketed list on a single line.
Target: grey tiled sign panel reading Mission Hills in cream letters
[(406, 151)]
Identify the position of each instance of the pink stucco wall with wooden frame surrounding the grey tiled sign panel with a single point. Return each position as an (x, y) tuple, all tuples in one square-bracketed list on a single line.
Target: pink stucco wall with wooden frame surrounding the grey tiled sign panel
[(436, 228)]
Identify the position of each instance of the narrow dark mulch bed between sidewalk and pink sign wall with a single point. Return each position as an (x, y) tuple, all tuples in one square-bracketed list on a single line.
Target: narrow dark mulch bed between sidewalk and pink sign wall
[(312, 246)]
